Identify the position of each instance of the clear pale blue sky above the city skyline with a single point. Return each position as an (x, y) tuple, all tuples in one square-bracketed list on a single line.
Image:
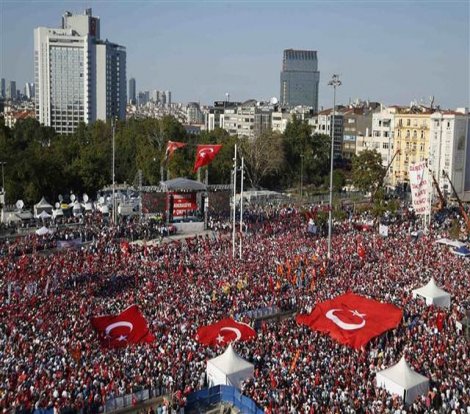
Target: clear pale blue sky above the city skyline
[(392, 52)]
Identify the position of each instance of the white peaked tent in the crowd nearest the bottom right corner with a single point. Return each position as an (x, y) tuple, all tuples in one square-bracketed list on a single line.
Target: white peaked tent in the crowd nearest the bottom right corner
[(402, 380)]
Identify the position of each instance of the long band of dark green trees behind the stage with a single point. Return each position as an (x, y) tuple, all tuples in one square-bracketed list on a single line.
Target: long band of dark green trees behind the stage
[(40, 162)]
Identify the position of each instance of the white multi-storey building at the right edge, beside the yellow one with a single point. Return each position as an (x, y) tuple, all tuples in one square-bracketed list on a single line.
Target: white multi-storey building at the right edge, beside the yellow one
[(449, 141)]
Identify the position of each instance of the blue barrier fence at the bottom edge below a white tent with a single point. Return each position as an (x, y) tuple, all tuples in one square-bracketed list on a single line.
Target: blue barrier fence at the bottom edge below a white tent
[(198, 401)]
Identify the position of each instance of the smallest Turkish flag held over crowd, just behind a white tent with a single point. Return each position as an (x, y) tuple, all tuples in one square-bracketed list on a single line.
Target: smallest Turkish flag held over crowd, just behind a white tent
[(224, 332)]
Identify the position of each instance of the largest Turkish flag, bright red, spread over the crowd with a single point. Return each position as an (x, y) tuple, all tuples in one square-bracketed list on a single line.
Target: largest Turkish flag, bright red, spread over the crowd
[(352, 319)]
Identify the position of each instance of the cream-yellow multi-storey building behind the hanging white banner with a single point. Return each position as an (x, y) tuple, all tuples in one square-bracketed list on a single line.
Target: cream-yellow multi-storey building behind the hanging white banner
[(411, 137)]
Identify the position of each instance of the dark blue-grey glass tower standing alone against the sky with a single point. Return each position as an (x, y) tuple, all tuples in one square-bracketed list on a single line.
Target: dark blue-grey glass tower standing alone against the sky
[(300, 78)]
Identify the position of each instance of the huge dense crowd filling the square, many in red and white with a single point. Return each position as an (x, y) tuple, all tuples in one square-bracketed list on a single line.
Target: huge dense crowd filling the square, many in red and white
[(51, 357)]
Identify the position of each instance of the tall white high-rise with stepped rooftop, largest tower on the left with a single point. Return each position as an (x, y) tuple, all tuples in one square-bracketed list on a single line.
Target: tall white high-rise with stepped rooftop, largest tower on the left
[(78, 77)]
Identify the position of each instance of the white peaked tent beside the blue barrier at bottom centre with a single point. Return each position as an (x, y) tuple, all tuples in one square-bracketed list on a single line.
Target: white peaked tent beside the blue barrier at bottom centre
[(228, 369)]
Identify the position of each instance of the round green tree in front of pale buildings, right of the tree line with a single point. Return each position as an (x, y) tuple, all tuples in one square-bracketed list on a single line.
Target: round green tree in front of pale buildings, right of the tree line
[(367, 171)]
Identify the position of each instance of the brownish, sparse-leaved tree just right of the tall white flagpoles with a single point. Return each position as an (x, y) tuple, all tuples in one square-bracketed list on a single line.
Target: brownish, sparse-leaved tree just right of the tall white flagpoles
[(263, 156)]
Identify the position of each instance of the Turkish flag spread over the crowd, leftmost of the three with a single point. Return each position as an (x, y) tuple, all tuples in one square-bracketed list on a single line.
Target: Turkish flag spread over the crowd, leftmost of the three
[(118, 331)]
